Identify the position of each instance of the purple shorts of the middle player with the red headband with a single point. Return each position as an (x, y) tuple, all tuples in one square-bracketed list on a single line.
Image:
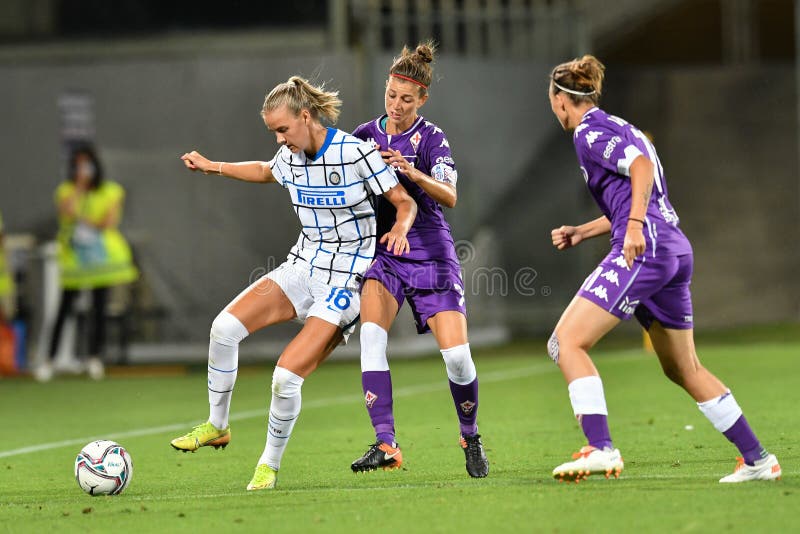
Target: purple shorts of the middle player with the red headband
[(429, 286)]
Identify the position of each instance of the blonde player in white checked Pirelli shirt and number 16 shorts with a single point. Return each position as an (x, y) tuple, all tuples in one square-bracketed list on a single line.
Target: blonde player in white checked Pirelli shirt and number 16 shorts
[(330, 176)]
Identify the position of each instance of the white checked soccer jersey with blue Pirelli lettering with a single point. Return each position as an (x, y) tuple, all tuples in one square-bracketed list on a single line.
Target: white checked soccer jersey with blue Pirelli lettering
[(331, 196)]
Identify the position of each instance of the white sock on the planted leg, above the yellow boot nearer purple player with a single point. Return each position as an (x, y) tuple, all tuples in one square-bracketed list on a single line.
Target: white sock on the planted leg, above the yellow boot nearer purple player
[(283, 413)]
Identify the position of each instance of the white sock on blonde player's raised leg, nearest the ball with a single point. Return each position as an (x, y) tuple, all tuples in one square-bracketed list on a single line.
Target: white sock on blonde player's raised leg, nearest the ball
[(223, 361)]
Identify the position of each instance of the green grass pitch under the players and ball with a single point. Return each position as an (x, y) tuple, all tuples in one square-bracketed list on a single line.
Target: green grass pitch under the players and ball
[(673, 456)]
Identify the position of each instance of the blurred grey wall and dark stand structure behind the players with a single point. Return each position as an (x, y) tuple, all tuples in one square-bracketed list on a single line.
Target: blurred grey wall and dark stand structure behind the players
[(713, 81)]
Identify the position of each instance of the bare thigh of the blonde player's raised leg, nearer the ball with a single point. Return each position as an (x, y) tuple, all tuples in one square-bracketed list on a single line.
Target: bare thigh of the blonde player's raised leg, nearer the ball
[(262, 304)]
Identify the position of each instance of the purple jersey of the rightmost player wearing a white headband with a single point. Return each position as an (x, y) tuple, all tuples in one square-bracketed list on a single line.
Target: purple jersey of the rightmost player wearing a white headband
[(606, 146)]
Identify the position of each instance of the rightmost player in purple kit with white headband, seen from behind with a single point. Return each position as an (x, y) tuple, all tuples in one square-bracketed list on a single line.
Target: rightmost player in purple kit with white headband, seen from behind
[(646, 274)]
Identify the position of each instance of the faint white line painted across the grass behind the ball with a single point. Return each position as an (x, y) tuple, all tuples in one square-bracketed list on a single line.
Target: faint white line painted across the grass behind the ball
[(493, 376)]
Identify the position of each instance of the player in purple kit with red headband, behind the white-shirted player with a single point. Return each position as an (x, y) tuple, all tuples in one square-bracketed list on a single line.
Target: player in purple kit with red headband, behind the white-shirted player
[(429, 277)]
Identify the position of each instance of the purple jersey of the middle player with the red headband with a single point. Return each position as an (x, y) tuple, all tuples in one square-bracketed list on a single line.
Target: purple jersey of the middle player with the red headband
[(424, 146)]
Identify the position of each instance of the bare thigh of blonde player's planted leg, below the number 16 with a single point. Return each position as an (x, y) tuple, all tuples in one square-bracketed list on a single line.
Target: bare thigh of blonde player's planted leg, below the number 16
[(309, 348)]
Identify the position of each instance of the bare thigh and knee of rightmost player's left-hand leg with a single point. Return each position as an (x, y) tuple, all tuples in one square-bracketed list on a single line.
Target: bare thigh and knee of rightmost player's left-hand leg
[(581, 325)]
